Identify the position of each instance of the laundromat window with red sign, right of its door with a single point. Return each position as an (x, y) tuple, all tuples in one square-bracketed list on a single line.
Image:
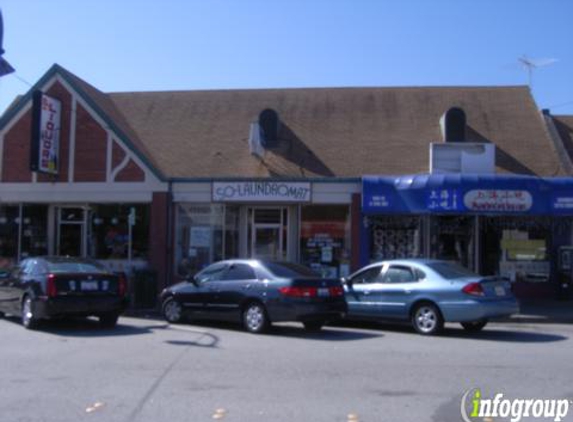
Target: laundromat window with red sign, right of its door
[(325, 239)]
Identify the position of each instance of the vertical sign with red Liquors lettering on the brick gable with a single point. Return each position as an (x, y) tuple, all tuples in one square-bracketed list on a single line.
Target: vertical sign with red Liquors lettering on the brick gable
[(45, 150)]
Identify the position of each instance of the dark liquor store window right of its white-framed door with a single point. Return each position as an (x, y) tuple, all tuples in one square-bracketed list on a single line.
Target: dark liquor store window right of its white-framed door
[(109, 236)]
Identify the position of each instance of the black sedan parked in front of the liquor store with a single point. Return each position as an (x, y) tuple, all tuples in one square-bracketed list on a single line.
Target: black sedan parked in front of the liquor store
[(50, 287)]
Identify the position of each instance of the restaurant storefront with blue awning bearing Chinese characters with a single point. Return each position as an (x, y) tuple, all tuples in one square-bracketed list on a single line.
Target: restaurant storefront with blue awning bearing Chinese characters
[(511, 226)]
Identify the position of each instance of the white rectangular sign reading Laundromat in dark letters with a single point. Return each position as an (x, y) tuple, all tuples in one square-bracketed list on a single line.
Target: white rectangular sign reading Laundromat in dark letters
[(261, 192)]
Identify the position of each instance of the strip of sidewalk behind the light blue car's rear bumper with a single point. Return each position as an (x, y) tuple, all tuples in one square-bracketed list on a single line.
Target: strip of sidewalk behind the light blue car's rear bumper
[(544, 311)]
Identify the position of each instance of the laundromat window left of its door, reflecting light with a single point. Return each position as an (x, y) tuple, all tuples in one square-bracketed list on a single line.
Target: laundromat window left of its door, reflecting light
[(205, 234)]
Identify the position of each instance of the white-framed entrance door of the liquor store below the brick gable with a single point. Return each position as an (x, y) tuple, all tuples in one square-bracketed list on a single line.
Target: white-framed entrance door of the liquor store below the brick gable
[(71, 231)]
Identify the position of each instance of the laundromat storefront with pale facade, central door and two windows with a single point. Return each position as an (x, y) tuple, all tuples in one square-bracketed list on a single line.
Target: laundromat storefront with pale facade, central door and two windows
[(296, 221)]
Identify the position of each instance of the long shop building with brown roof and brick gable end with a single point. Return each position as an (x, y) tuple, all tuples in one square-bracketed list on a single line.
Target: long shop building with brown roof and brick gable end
[(173, 181)]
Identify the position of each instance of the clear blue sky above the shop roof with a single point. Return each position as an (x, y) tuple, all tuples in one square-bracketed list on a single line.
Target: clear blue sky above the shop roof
[(144, 45)]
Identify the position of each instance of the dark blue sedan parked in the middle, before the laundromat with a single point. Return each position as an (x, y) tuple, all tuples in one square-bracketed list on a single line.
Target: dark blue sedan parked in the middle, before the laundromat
[(256, 293)]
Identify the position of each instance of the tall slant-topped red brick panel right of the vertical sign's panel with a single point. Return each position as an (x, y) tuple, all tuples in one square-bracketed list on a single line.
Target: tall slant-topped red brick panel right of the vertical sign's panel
[(91, 147)]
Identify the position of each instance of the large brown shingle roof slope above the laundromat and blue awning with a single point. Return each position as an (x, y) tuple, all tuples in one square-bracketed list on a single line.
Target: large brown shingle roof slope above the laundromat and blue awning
[(343, 132)]
